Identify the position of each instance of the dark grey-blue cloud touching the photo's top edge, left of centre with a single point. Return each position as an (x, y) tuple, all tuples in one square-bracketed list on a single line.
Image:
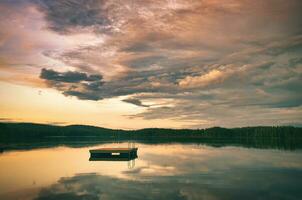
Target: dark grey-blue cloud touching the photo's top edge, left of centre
[(65, 16)]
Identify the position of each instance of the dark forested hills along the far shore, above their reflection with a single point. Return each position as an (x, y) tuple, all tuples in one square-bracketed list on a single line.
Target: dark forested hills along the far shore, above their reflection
[(16, 131)]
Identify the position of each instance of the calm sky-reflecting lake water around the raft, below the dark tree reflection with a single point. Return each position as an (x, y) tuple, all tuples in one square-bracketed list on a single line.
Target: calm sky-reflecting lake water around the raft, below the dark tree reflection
[(166, 171)]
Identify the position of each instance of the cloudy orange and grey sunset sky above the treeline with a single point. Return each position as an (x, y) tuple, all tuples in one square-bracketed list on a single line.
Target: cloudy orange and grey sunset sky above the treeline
[(134, 64)]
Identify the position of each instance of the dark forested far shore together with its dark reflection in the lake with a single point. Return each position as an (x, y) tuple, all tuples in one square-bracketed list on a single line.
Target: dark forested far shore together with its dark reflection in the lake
[(25, 136)]
